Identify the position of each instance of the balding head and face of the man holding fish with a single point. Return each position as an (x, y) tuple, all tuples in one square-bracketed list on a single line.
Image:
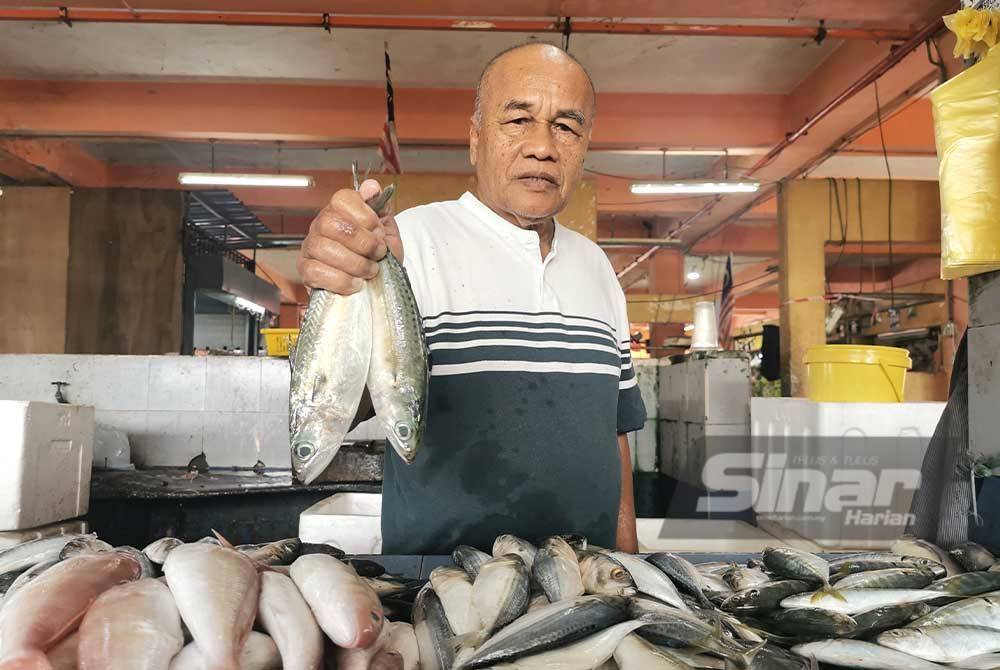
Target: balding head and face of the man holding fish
[(537, 109)]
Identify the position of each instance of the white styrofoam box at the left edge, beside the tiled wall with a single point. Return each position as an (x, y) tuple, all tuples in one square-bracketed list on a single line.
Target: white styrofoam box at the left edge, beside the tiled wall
[(46, 452)]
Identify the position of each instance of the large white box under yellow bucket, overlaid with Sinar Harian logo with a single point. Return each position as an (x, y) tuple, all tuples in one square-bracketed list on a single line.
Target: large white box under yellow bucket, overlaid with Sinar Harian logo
[(808, 450)]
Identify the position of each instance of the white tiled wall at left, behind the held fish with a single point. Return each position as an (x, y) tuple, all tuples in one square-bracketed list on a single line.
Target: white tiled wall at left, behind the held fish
[(234, 409)]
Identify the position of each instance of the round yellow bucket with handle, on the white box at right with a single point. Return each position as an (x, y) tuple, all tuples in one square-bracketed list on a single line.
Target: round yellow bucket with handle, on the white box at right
[(856, 373)]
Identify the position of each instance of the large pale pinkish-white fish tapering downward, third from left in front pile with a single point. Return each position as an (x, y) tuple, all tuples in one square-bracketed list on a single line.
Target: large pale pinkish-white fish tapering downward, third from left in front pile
[(216, 590)]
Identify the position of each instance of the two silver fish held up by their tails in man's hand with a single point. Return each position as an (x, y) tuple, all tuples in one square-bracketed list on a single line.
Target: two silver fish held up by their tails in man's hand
[(371, 339)]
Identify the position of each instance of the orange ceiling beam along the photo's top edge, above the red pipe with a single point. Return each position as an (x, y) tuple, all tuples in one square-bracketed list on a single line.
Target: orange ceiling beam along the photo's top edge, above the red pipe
[(899, 14)]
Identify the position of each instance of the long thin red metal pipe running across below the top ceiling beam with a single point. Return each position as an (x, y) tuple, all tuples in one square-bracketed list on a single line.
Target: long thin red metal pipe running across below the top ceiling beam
[(330, 21)]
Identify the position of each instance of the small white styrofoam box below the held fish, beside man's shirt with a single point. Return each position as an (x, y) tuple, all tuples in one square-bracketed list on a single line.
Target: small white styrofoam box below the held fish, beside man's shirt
[(350, 521)]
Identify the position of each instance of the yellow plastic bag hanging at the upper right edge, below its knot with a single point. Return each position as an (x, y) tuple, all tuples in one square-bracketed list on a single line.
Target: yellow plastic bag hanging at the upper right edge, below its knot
[(967, 132)]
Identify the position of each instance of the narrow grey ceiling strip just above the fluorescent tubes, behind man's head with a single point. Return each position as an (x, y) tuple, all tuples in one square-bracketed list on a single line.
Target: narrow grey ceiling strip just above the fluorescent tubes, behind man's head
[(197, 156)]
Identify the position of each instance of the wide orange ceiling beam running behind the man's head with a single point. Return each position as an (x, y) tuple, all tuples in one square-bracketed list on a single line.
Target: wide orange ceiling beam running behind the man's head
[(354, 114)]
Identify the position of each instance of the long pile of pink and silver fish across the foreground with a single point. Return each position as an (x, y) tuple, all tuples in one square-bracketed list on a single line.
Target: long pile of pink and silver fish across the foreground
[(76, 602)]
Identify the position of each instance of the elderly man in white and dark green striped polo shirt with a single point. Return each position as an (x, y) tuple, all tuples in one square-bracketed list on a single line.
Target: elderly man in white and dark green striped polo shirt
[(531, 378)]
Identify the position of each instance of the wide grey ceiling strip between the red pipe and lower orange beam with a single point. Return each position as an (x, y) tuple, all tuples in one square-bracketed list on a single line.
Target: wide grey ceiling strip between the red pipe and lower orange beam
[(420, 58)]
